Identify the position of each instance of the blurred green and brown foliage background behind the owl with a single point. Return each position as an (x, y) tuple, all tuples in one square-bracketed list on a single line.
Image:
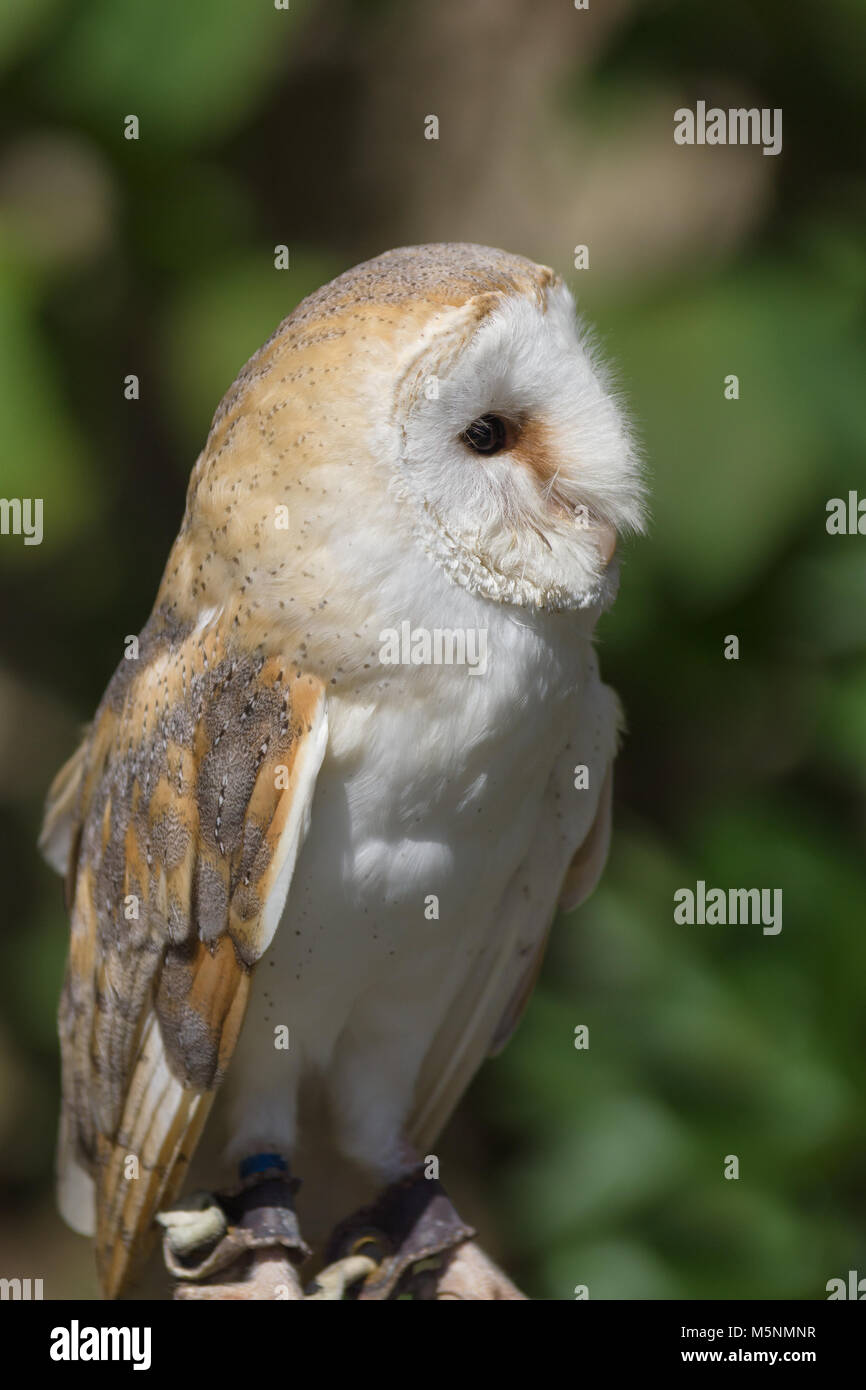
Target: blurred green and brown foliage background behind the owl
[(156, 258)]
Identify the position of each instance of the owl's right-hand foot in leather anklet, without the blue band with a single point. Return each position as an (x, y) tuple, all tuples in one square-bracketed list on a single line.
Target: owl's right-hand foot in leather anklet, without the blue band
[(419, 1249)]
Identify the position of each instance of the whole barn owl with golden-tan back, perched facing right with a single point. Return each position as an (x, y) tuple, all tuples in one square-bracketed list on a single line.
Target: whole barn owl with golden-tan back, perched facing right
[(333, 797)]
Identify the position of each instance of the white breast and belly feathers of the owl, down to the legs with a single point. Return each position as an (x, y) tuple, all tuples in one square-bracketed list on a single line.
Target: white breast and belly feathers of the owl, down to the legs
[(444, 785)]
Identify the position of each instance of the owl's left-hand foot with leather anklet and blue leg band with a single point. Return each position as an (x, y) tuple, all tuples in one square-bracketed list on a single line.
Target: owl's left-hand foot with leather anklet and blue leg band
[(248, 1236)]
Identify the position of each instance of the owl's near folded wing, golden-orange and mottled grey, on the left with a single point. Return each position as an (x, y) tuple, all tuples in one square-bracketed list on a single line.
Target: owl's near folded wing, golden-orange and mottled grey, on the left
[(179, 824)]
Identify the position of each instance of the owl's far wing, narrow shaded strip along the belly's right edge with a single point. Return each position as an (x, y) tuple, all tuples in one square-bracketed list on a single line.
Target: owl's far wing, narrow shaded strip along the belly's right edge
[(496, 996)]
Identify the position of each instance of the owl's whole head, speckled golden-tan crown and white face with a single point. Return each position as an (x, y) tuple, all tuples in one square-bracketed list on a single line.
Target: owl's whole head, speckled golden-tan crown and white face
[(446, 393)]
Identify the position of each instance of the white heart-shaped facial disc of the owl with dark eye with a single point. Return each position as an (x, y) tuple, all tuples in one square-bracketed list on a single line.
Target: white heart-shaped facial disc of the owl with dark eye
[(508, 441)]
